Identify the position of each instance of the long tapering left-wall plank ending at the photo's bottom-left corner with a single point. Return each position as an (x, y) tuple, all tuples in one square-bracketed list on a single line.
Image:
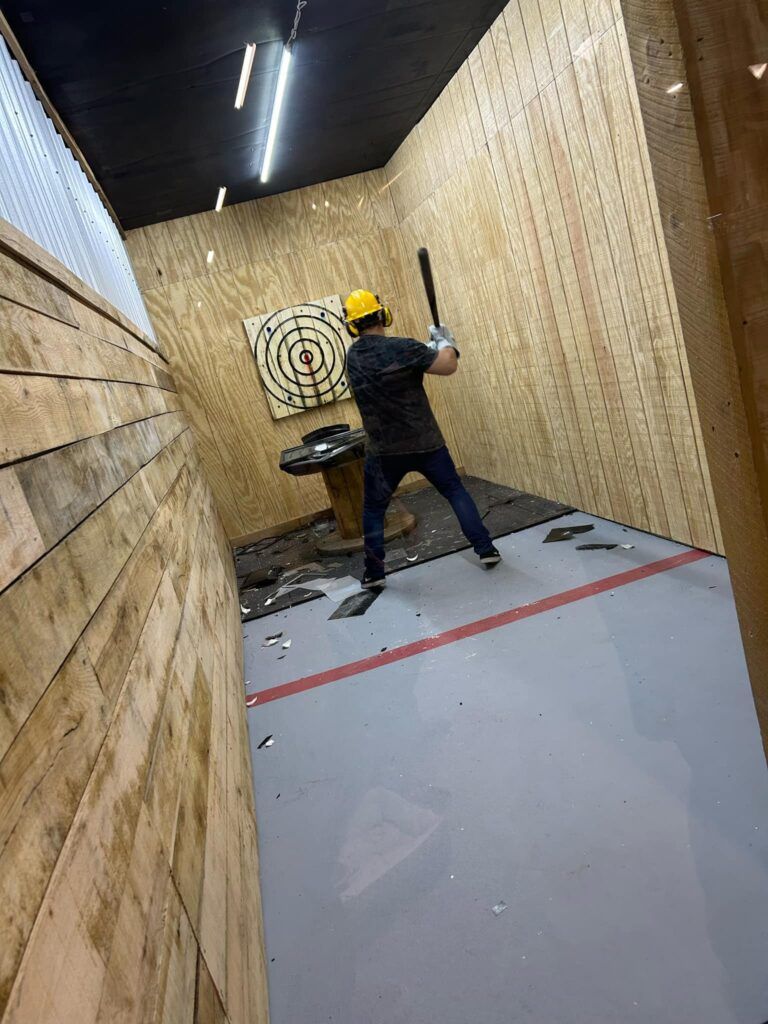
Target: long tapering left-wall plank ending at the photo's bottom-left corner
[(92, 869)]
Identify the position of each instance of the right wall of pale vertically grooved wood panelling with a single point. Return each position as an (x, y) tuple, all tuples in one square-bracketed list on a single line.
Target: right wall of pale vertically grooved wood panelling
[(531, 183)]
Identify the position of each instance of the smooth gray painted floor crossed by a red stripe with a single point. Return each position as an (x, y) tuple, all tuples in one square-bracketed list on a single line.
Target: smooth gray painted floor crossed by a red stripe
[(598, 769)]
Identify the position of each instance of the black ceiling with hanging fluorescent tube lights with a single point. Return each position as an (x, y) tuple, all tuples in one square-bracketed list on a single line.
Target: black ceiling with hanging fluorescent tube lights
[(148, 90)]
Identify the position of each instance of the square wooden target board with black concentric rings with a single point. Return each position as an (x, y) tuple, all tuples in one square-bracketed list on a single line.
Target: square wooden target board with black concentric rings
[(302, 356)]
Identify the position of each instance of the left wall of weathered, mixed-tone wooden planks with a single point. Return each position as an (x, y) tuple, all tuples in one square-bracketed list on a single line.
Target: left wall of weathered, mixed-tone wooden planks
[(129, 864)]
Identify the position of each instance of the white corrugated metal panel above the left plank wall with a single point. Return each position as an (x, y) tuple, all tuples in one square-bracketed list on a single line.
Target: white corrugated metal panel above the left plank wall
[(46, 194)]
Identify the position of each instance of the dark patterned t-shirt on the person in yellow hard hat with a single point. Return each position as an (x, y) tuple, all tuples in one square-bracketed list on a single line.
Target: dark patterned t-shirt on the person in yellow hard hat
[(387, 376)]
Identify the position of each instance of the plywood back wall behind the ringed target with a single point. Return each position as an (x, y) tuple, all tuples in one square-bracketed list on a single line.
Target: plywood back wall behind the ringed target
[(275, 252)]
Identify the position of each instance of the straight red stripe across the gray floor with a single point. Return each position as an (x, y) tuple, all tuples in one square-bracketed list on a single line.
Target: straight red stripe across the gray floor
[(474, 629)]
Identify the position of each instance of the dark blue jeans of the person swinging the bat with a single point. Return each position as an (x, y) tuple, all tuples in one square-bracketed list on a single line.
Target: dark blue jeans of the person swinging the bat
[(383, 475)]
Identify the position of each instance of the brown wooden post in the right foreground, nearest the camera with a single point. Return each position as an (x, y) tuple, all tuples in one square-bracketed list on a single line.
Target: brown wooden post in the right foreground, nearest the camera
[(708, 150)]
